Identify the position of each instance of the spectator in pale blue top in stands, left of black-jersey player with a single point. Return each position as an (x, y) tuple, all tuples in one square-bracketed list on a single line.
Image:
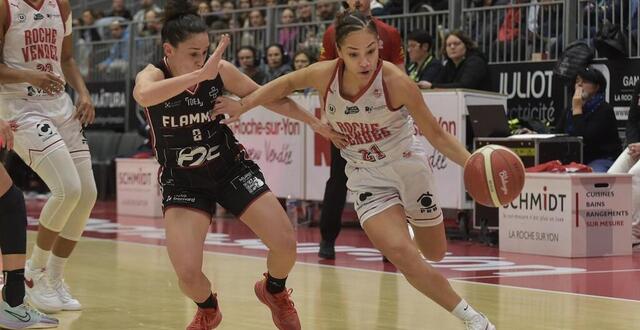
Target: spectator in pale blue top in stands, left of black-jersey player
[(118, 59)]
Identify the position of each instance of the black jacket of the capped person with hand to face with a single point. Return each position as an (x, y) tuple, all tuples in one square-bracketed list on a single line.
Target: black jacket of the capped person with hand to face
[(599, 132)]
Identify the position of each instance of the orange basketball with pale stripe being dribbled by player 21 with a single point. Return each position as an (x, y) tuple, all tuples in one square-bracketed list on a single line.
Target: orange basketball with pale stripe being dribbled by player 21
[(494, 175)]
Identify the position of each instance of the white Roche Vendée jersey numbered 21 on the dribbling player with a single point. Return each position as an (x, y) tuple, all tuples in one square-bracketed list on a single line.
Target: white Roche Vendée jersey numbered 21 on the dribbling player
[(378, 134)]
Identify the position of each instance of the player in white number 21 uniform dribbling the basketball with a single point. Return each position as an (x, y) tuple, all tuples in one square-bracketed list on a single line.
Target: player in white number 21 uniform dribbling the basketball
[(370, 100)]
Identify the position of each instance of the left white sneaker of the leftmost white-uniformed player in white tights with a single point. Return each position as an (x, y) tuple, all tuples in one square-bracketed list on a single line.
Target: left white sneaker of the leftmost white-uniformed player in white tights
[(38, 291)]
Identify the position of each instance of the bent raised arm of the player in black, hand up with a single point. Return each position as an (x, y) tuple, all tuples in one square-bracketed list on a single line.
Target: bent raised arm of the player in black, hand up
[(151, 87)]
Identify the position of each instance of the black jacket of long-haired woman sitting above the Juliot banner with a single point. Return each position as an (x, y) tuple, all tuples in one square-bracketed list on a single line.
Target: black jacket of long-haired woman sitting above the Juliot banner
[(472, 73)]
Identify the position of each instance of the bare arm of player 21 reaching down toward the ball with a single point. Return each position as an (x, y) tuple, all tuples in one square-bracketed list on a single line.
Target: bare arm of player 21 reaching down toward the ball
[(403, 91)]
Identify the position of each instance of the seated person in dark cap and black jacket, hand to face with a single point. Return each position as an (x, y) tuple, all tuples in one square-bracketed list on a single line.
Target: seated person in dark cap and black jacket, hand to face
[(592, 118)]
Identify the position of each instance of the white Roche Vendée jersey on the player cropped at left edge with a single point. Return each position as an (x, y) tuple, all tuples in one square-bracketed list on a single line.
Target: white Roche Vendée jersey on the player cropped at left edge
[(33, 40)]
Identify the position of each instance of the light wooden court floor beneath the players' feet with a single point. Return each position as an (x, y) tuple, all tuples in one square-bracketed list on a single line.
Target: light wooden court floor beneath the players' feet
[(126, 285)]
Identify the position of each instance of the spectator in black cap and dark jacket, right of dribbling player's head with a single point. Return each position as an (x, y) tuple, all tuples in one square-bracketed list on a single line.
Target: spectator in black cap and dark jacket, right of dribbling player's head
[(423, 67)]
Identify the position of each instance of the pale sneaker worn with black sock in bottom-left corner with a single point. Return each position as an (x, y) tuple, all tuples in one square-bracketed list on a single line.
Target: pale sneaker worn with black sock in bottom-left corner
[(24, 316)]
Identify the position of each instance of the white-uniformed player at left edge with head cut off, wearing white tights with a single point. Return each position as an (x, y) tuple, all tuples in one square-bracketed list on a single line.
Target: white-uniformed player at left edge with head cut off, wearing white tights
[(36, 61)]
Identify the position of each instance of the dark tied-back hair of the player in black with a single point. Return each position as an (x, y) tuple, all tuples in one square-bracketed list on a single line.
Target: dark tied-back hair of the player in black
[(181, 19)]
